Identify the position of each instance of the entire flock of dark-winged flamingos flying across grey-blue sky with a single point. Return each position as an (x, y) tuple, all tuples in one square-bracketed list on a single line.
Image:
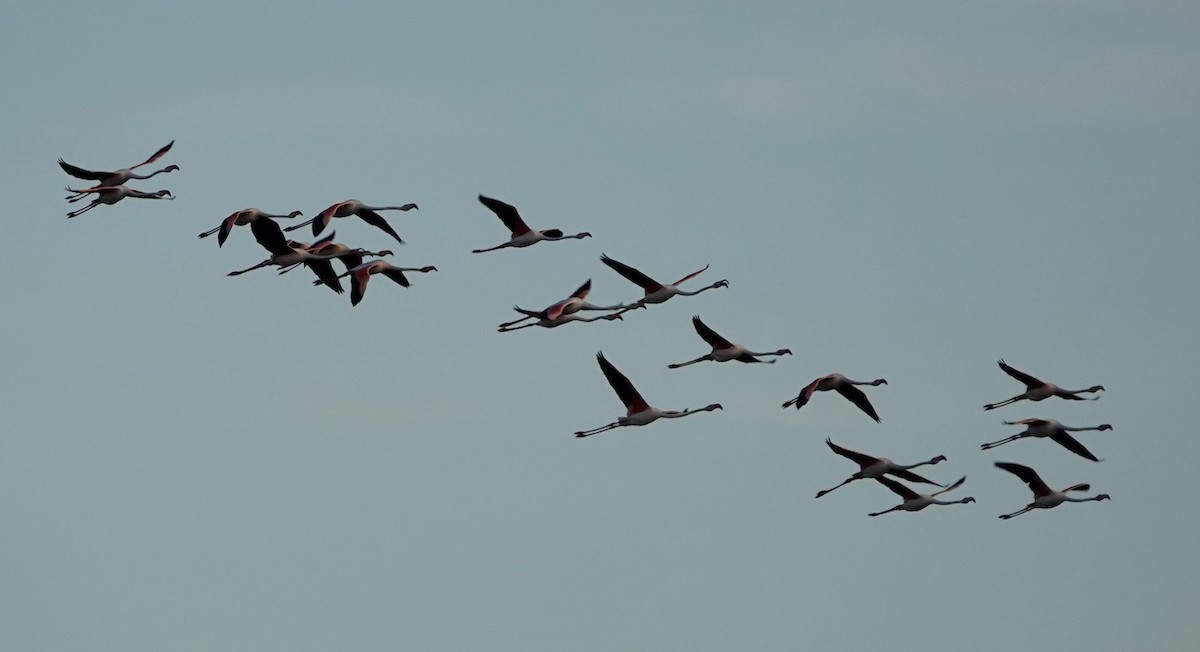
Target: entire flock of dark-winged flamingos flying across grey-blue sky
[(319, 256)]
